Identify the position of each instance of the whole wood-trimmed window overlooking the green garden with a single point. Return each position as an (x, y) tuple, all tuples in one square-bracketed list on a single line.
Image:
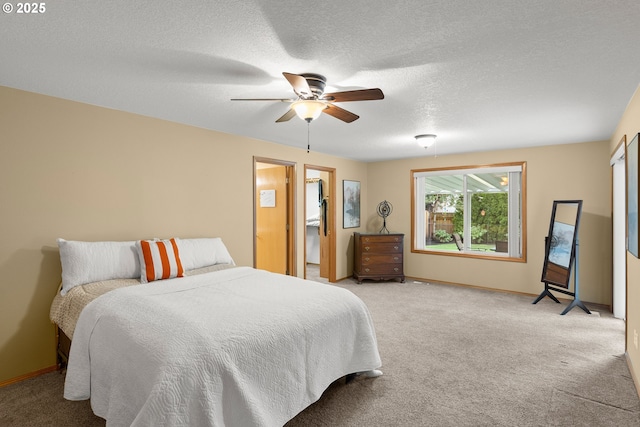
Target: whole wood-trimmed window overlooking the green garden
[(474, 211)]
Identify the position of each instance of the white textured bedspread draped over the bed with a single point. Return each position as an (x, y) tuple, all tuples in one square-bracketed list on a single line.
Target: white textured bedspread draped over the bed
[(239, 347)]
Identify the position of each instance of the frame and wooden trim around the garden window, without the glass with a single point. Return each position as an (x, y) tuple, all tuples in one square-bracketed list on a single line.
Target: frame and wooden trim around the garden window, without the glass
[(463, 170)]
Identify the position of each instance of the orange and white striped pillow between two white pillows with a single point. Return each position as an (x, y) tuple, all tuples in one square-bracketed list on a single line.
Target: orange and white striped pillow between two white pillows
[(159, 259)]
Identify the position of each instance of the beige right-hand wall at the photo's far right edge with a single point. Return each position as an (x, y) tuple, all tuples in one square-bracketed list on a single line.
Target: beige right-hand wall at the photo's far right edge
[(629, 126)]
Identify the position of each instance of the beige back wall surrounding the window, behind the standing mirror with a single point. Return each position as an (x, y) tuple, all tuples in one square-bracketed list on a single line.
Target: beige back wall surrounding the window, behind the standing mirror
[(574, 171)]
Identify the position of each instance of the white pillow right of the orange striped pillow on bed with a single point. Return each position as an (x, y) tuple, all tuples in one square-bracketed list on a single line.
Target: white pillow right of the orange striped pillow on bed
[(203, 252)]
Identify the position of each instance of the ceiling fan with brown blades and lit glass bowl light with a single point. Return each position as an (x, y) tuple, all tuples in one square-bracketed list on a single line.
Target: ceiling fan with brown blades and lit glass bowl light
[(311, 100)]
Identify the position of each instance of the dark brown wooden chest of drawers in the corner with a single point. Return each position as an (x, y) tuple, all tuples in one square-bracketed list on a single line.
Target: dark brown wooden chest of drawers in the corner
[(378, 257)]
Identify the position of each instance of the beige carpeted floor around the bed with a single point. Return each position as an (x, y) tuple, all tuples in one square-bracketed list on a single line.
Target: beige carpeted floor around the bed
[(452, 356)]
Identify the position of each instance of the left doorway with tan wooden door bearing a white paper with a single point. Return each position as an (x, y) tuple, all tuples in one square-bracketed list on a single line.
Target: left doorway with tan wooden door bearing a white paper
[(273, 216)]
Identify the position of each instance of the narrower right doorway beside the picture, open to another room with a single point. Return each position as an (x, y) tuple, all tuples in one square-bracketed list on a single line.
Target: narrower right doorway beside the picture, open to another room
[(320, 223)]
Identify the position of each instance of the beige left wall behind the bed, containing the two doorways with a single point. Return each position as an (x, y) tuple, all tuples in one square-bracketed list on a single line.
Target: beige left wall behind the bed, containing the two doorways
[(81, 172)]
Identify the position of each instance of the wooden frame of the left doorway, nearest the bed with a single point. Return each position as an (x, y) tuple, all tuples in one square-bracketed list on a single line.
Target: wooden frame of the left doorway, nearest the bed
[(290, 168)]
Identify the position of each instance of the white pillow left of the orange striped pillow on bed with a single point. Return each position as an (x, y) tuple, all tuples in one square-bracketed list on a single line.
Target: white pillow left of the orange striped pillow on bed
[(86, 262)]
